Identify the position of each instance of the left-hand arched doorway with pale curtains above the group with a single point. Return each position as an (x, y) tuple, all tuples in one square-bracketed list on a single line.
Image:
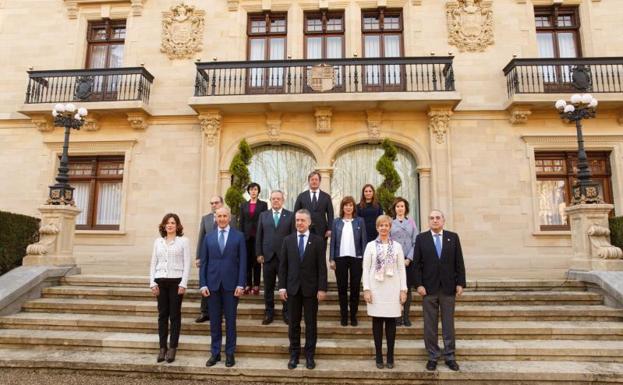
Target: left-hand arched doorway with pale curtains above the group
[(282, 167)]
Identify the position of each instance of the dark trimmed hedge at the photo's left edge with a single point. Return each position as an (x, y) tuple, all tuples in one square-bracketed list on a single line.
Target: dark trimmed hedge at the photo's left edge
[(16, 233)]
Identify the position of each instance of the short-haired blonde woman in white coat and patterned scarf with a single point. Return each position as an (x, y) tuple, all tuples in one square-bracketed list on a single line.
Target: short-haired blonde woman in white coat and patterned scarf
[(385, 287)]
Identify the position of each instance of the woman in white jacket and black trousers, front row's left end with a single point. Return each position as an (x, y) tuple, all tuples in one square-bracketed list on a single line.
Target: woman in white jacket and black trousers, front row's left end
[(168, 280)]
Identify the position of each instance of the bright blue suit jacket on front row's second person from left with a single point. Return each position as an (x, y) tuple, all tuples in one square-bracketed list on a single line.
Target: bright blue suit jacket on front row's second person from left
[(228, 268)]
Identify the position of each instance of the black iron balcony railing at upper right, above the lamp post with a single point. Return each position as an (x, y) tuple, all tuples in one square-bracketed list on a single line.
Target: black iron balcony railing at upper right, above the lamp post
[(539, 76)]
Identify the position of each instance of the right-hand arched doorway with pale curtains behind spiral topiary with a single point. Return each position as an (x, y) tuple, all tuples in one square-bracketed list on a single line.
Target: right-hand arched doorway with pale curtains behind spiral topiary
[(356, 165)]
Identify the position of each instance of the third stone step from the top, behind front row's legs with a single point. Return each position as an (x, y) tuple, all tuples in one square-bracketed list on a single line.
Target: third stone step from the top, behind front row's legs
[(331, 312)]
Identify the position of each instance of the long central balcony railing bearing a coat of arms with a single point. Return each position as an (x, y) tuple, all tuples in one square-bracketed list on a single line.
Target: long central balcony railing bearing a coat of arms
[(407, 74)]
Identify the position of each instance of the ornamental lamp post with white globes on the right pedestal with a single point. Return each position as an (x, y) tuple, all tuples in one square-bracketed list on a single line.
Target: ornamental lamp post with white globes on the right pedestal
[(585, 190)]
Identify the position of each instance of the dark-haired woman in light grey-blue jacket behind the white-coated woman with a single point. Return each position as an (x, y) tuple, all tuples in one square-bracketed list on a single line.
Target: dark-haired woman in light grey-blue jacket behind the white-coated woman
[(404, 231)]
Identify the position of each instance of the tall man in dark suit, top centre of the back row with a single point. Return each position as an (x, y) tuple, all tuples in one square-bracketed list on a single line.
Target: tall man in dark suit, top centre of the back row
[(319, 204)]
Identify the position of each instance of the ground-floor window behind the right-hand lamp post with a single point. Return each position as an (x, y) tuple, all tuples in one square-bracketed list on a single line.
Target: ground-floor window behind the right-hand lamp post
[(555, 173)]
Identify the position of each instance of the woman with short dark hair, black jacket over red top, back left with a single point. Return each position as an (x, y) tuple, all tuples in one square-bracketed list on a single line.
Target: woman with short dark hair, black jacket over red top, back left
[(249, 215)]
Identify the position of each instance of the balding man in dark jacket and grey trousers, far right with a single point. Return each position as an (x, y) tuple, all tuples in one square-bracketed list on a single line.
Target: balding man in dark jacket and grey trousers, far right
[(439, 278)]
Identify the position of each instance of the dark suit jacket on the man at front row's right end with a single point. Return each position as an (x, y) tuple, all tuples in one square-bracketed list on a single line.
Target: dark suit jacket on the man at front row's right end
[(439, 274)]
